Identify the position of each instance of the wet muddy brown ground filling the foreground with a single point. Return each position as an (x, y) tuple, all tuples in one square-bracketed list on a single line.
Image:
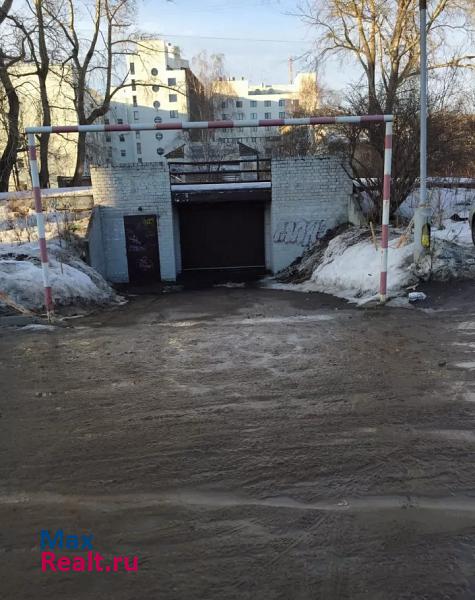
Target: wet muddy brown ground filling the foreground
[(244, 444)]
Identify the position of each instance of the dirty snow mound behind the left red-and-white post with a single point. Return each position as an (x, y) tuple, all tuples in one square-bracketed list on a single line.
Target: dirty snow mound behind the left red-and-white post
[(72, 280)]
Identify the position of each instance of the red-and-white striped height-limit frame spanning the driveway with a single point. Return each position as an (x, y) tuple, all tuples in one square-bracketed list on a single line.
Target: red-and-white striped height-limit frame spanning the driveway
[(178, 125)]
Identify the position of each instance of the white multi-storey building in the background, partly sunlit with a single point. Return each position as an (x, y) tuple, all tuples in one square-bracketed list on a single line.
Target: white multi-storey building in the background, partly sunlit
[(160, 87)]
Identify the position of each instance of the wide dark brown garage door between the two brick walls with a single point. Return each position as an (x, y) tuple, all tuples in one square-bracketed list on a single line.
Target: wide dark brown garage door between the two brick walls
[(225, 235)]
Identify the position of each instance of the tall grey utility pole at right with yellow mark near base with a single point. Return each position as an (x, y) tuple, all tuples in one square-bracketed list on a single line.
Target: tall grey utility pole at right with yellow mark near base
[(422, 213)]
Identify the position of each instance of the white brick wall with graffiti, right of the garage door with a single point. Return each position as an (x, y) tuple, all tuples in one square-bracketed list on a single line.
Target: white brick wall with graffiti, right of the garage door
[(309, 196)]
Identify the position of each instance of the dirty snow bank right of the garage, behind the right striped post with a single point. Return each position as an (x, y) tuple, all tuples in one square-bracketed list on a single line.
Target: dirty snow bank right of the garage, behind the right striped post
[(349, 266)]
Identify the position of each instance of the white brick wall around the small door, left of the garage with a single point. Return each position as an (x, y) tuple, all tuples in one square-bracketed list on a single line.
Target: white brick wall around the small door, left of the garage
[(127, 190)]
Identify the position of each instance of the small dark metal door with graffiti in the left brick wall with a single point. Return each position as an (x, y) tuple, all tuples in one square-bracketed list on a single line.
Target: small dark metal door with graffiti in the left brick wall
[(141, 238)]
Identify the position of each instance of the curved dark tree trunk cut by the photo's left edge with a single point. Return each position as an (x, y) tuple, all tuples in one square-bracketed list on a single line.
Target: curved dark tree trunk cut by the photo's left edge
[(8, 157)]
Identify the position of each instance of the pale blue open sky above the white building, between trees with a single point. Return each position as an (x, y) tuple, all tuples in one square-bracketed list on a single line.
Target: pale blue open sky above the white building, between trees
[(197, 25)]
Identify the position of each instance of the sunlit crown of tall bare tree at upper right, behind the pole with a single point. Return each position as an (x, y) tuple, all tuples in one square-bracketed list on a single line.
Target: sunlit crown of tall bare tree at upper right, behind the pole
[(382, 36)]
